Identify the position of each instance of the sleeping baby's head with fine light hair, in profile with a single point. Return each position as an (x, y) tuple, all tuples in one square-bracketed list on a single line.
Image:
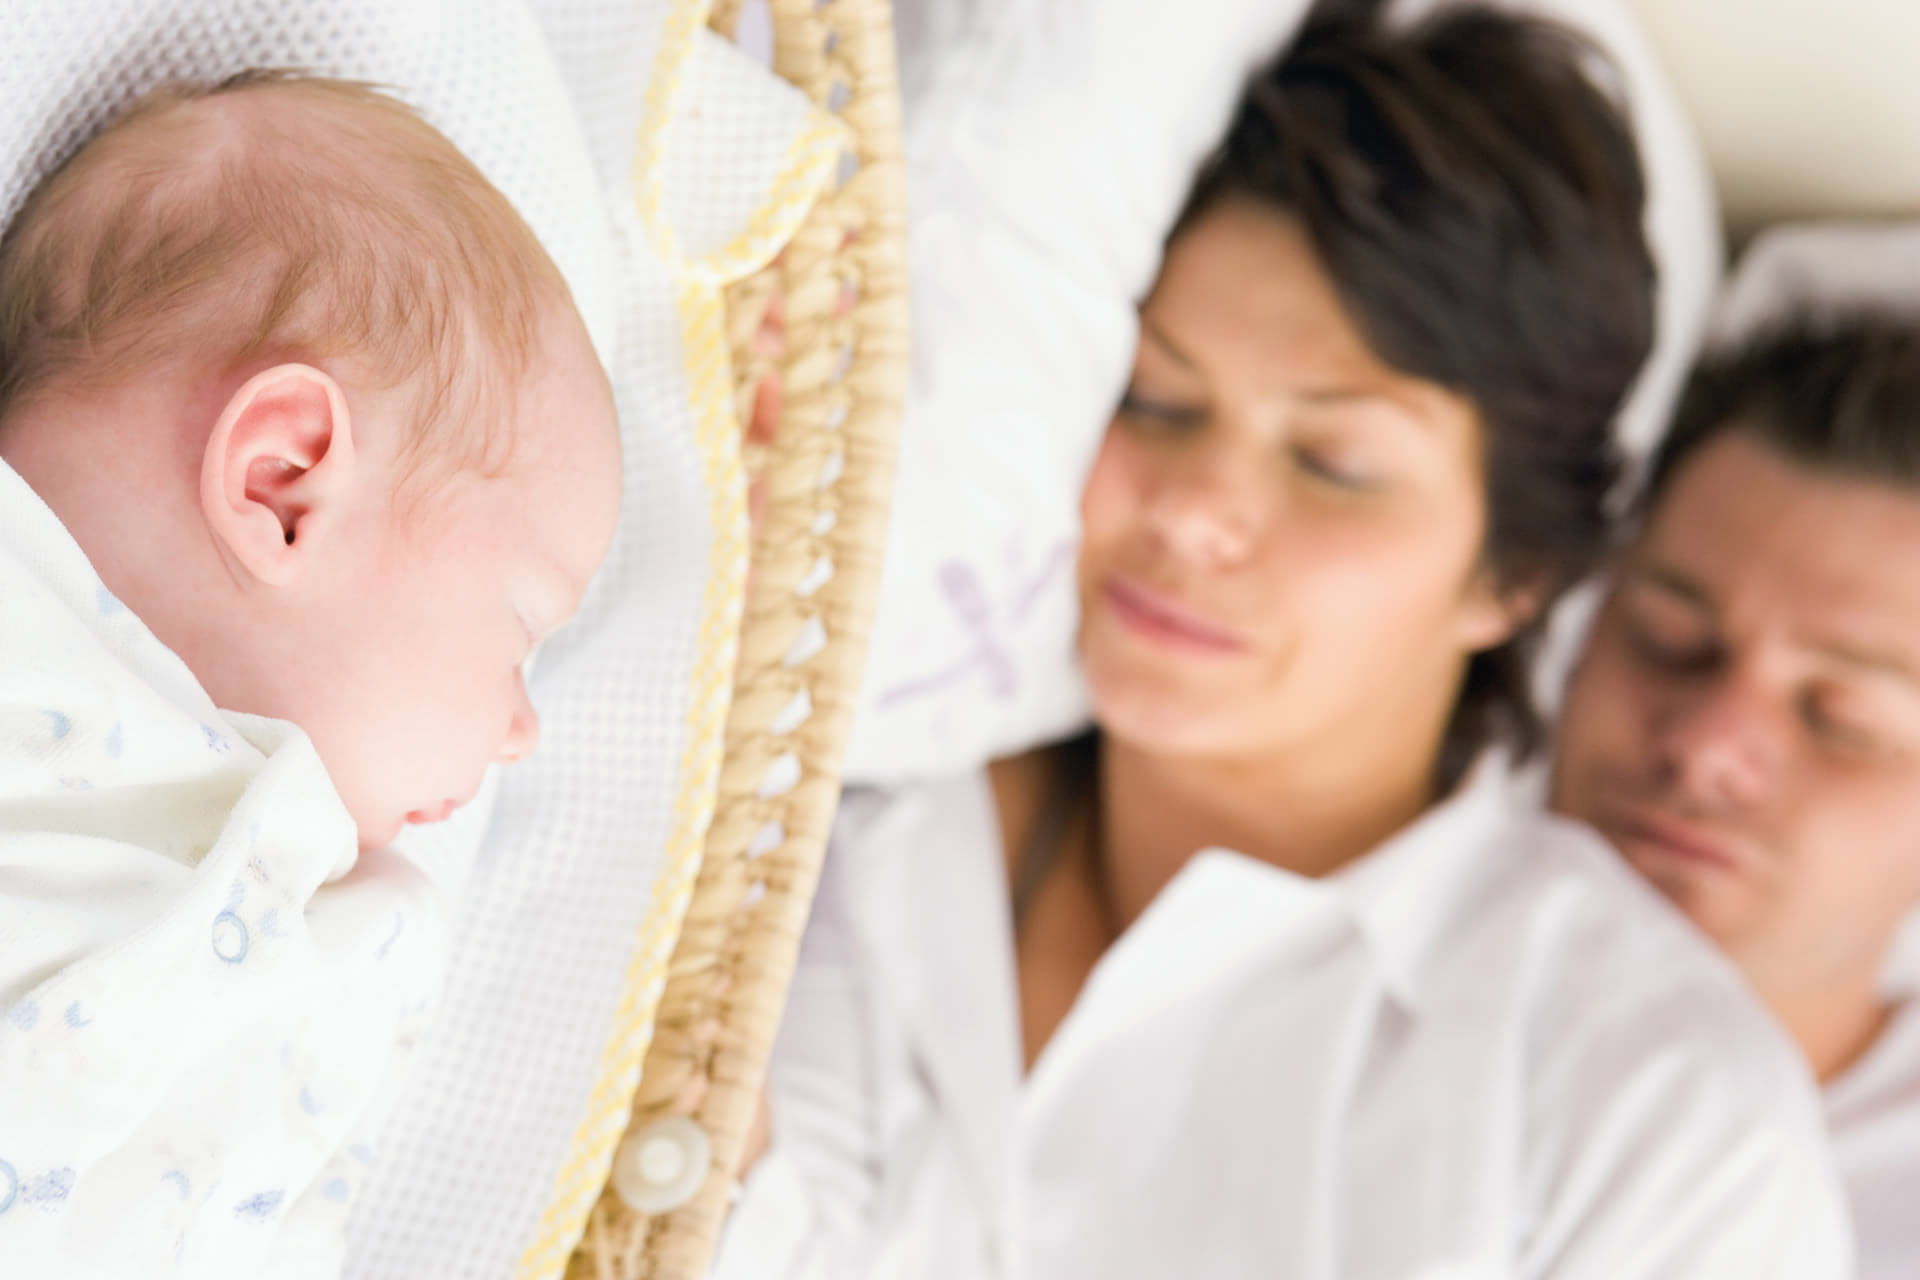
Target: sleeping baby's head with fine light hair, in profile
[(322, 412)]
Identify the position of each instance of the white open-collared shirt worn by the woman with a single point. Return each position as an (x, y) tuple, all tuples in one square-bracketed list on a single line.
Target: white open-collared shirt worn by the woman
[(1483, 1051)]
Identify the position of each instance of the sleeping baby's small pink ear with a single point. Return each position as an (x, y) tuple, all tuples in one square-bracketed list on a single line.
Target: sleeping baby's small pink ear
[(277, 471)]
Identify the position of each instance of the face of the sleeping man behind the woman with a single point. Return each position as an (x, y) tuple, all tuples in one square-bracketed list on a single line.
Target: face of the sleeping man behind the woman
[(1746, 721)]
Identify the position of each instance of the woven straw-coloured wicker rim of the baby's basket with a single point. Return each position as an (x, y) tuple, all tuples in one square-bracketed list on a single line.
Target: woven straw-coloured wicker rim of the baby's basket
[(827, 475)]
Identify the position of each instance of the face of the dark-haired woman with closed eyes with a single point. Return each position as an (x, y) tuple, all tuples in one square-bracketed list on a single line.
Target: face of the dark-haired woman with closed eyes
[(1282, 534)]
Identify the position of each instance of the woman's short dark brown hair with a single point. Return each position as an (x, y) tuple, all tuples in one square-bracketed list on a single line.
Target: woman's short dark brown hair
[(1477, 202)]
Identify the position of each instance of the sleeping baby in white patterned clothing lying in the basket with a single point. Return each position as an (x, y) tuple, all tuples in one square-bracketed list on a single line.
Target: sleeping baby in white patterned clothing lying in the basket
[(304, 450)]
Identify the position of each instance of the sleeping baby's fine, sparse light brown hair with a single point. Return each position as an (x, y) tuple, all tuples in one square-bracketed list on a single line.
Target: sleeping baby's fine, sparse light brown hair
[(270, 216)]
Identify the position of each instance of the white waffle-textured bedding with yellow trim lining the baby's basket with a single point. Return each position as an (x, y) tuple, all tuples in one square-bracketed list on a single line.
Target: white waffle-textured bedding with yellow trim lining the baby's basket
[(567, 903)]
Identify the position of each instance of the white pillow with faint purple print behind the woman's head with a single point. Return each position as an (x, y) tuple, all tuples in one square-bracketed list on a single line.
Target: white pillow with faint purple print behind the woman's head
[(1051, 145)]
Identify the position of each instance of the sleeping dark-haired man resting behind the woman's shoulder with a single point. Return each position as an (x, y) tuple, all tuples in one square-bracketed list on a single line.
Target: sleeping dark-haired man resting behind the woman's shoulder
[(1746, 721)]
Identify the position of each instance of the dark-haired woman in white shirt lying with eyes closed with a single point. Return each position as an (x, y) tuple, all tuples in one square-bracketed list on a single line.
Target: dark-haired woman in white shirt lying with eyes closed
[(1047, 1026)]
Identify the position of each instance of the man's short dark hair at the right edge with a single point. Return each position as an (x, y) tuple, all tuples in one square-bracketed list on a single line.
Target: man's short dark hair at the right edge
[(1838, 394)]
